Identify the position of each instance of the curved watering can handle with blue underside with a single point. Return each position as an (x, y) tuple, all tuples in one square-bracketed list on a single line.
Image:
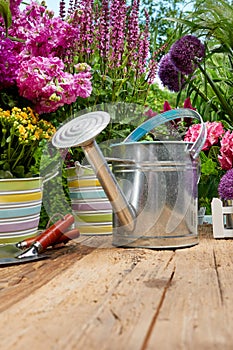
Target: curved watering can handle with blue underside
[(159, 119)]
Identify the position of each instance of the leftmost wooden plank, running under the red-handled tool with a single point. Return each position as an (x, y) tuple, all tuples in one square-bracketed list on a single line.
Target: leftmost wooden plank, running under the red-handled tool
[(18, 281)]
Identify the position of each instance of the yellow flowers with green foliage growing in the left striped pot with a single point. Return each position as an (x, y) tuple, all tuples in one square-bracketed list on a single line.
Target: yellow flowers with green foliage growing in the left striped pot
[(21, 131)]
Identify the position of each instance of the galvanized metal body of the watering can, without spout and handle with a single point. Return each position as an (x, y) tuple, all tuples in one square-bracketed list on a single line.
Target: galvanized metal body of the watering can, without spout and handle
[(162, 188)]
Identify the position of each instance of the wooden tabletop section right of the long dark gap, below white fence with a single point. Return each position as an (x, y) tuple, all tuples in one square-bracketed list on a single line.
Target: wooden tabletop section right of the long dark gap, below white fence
[(197, 309)]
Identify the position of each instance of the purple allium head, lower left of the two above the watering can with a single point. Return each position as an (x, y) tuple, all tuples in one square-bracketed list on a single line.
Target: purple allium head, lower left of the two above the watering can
[(169, 75)]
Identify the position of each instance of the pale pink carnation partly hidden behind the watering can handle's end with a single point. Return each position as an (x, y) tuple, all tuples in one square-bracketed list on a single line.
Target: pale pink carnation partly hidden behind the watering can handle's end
[(214, 132)]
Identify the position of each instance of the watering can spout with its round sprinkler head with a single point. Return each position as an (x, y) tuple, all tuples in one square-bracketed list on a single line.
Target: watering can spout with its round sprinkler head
[(82, 131)]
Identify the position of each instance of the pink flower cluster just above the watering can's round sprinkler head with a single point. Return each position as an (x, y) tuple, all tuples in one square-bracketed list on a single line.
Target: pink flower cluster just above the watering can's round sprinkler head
[(43, 81)]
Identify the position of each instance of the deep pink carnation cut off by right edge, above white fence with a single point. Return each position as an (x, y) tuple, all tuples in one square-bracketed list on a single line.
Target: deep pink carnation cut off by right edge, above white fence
[(226, 151)]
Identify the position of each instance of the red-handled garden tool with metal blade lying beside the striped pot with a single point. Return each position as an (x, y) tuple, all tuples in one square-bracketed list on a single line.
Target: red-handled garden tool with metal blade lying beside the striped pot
[(13, 254)]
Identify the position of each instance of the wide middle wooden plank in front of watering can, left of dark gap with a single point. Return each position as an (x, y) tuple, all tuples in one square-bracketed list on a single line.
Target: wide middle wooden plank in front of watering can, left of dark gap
[(105, 292)]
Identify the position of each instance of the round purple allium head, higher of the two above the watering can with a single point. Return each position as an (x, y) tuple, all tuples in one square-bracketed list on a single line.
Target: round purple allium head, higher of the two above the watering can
[(186, 52)]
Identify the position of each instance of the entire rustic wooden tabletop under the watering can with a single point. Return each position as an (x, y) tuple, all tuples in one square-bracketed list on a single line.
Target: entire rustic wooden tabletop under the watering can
[(89, 295)]
